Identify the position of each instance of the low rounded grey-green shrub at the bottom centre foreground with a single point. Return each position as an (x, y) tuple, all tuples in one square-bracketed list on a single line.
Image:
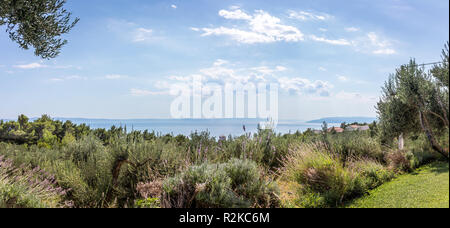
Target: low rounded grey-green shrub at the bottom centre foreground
[(235, 184)]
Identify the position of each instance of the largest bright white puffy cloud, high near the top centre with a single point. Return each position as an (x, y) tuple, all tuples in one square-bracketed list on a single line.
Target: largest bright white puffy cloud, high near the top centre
[(261, 27)]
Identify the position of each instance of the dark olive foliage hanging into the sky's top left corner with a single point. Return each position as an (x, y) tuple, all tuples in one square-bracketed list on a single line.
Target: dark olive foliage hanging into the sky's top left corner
[(38, 24)]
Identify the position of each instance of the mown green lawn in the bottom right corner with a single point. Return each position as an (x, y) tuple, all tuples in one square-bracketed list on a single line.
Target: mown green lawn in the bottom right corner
[(427, 187)]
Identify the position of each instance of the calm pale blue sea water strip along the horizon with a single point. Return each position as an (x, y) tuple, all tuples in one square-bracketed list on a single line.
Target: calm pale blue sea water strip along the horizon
[(217, 127)]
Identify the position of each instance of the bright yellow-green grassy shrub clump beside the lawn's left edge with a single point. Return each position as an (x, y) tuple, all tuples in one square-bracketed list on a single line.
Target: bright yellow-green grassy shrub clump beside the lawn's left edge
[(324, 180)]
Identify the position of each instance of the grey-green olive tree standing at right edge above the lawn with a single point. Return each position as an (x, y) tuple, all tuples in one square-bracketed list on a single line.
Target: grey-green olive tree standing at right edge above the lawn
[(416, 101)]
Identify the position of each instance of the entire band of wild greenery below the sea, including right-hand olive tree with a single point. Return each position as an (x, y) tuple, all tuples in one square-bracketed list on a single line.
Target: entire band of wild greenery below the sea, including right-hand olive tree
[(48, 163)]
